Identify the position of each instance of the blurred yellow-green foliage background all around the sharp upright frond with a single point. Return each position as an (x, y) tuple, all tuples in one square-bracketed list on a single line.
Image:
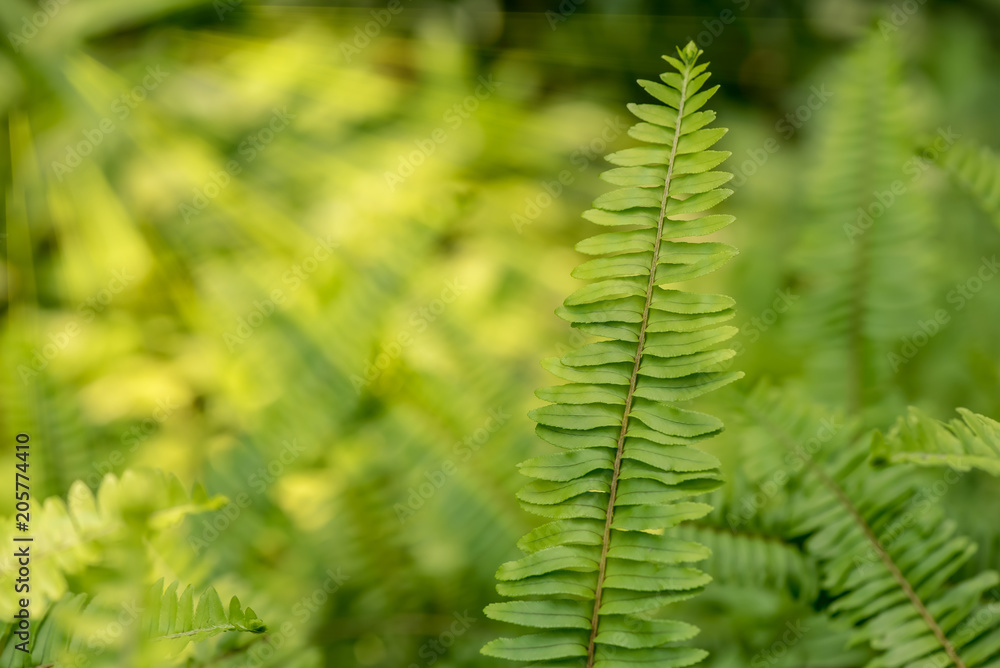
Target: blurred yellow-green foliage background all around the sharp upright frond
[(304, 259)]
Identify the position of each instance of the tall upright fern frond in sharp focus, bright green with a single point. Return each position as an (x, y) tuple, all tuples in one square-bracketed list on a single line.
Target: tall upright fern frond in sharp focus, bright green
[(594, 576)]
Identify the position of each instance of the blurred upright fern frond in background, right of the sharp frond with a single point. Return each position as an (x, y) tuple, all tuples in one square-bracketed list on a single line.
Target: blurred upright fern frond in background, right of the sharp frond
[(865, 252)]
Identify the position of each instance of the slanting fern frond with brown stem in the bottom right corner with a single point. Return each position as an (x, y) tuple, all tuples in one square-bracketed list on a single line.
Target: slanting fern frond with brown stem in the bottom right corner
[(888, 559)]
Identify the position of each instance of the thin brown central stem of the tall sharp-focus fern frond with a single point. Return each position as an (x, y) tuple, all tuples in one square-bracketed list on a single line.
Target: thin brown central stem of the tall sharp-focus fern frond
[(633, 379)]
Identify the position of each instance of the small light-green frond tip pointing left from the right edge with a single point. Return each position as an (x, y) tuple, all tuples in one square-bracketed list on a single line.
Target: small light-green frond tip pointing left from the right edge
[(961, 444)]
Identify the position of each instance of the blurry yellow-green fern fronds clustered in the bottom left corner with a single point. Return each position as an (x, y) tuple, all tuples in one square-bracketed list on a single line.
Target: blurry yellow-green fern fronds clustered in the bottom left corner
[(119, 529)]
